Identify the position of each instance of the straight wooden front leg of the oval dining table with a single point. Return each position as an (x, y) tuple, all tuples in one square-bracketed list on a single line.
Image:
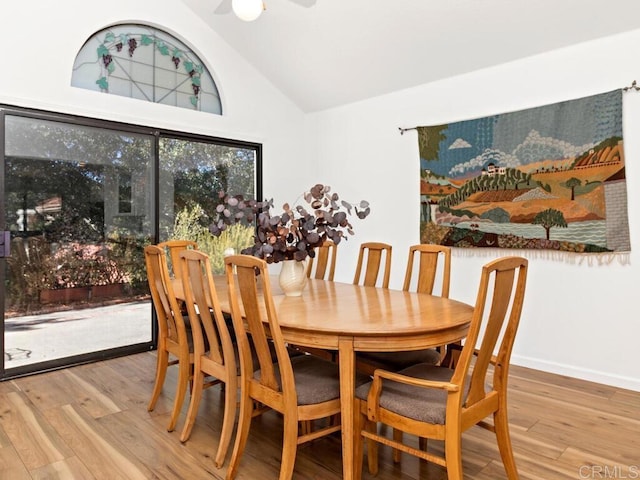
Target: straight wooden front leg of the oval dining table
[(347, 394)]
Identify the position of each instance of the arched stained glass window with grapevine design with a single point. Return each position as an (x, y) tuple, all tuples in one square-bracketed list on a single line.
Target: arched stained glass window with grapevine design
[(143, 62)]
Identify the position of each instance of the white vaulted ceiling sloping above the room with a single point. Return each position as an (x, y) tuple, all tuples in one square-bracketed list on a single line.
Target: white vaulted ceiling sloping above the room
[(326, 53)]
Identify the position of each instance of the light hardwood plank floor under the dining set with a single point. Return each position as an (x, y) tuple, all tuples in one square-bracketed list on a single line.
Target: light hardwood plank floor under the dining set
[(91, 422)]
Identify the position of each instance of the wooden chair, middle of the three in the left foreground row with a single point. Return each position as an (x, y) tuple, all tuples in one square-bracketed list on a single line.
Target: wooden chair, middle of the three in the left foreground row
[(213, 350)]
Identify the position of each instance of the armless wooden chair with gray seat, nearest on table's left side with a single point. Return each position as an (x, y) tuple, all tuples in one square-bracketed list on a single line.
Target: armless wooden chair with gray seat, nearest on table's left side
[(302, 388)]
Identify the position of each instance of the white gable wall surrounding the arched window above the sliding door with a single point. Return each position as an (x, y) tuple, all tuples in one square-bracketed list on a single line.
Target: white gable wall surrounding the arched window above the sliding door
[(42, 38)]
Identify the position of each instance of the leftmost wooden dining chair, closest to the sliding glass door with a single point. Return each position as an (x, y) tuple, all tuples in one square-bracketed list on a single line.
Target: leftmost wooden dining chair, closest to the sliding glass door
[(174, 338)]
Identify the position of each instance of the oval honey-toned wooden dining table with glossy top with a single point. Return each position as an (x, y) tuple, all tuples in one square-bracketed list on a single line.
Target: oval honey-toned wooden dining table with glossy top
[(348, 318)]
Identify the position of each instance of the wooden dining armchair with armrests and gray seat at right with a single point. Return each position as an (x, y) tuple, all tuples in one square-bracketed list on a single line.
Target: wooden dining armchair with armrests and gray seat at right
[(440, 403)]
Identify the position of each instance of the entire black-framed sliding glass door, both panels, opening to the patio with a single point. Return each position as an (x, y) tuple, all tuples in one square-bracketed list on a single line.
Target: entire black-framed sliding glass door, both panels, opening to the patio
[(80, 200)]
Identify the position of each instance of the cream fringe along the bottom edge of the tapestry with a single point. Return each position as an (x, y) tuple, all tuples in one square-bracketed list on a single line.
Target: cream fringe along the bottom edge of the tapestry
[(591, 259)]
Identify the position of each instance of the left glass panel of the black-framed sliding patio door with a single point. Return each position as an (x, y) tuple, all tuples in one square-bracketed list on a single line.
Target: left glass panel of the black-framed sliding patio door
[(78, 206)]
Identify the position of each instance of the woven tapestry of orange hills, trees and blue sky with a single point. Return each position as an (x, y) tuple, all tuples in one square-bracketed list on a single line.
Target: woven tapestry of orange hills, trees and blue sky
[(546, 178)]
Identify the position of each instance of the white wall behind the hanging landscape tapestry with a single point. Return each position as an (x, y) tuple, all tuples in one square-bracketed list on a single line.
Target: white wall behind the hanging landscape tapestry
[(579, 319)]
